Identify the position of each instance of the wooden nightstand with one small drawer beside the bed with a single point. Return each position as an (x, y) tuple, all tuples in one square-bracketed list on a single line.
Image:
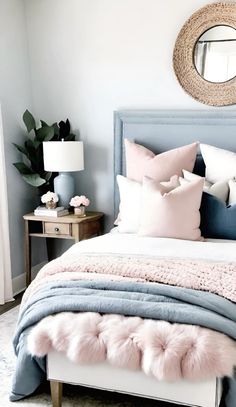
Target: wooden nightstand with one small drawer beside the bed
[(64, 227)]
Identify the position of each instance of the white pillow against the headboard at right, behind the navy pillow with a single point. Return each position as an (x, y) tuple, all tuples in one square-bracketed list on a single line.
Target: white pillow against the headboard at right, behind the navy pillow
[(220, 164)]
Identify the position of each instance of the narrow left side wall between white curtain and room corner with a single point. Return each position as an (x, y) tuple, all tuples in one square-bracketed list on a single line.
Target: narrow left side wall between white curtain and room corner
[(15, 97)]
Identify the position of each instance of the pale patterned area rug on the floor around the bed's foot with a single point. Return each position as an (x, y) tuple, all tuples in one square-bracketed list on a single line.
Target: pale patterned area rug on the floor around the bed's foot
[(73, 396)]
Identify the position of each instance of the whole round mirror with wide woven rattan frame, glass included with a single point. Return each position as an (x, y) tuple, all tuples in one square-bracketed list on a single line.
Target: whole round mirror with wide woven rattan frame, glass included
[(208, 22)]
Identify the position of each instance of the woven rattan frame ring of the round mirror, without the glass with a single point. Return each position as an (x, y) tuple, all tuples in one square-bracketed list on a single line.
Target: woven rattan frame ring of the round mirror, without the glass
[(210, 93)]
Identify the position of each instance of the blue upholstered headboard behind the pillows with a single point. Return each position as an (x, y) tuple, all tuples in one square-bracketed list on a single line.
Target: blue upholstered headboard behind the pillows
[(161, 130)]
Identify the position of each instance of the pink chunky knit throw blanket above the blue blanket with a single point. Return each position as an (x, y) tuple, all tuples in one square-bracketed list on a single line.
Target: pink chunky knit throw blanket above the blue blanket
[(214, 277)]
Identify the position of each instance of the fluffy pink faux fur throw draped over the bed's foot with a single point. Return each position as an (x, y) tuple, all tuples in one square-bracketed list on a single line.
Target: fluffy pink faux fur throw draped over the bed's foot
[(166, 351)]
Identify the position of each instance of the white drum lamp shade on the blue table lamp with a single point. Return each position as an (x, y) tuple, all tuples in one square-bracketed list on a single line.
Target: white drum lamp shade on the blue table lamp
[(63, 156)]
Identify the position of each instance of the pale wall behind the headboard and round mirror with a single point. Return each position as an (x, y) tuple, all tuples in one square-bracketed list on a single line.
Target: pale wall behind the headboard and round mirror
[(91, 57)]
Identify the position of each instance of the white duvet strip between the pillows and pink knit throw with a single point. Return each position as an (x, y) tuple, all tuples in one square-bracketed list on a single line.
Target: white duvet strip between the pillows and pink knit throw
[(118, 243)]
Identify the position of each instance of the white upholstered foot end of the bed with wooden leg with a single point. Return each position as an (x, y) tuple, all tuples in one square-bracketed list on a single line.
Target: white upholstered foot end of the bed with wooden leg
[(105, 377)]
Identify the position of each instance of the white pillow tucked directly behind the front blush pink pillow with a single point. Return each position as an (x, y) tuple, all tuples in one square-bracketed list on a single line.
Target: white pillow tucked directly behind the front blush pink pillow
[(130, 202)]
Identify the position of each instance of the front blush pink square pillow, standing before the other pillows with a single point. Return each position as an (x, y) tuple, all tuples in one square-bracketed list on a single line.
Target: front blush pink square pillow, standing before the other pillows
[(174, 213)]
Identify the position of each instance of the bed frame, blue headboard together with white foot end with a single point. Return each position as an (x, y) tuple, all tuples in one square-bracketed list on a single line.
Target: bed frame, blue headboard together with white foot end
[(160, 131)]
